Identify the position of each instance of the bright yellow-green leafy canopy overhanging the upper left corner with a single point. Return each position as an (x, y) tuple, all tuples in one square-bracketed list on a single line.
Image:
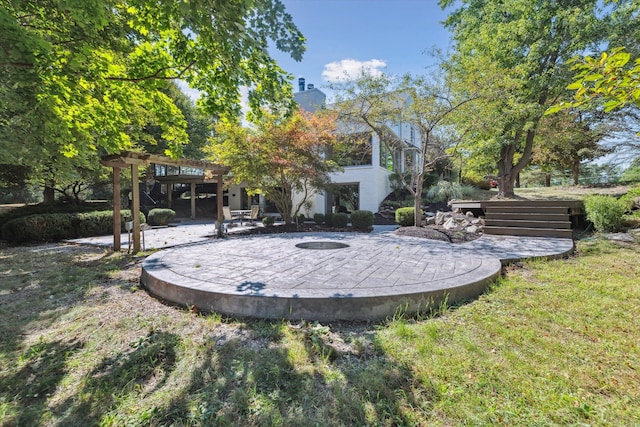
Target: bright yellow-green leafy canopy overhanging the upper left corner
[(80, 78)]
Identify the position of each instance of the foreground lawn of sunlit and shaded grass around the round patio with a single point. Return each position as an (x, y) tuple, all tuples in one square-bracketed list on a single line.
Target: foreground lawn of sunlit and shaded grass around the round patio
[(553, 343)]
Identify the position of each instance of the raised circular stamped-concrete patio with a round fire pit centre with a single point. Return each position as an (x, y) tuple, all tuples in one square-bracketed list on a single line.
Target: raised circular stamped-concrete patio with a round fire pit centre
[(342, 276)]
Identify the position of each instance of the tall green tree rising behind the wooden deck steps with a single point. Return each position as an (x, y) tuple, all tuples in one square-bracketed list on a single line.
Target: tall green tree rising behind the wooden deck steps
[(526, 44)]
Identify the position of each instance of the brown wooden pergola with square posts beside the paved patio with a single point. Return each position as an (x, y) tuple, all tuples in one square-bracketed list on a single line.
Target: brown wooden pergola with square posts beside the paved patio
[(130, 159)]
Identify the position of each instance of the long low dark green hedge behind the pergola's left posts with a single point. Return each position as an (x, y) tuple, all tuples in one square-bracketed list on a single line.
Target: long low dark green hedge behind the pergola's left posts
[(60, 226)]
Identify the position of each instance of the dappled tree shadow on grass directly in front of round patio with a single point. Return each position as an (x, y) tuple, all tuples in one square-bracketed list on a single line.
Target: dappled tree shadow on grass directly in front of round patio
[(262, 383)]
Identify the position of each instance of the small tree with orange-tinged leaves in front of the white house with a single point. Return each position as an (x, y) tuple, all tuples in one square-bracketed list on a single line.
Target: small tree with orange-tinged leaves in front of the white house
[(279, 156)]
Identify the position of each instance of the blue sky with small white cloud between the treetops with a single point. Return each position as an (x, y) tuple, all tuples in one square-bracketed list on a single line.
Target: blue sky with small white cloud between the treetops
[(392, 36)]
